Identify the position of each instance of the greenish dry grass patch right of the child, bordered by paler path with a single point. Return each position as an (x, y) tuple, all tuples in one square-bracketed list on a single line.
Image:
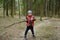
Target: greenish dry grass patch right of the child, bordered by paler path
[(47, 33)]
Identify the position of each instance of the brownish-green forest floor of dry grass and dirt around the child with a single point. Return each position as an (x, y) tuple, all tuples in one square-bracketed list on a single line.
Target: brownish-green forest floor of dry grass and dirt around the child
[(44, 30)]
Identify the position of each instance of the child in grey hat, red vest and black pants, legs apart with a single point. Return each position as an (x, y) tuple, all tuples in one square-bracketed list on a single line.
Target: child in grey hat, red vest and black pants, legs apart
[(30, 23)]
